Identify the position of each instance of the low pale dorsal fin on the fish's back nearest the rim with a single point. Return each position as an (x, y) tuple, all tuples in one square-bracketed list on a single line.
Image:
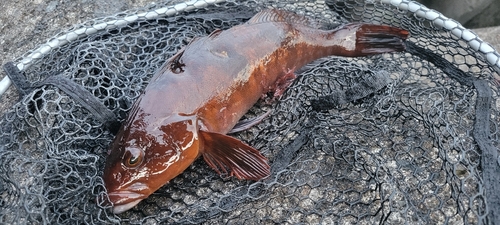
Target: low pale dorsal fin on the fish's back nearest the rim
[(281, 16)]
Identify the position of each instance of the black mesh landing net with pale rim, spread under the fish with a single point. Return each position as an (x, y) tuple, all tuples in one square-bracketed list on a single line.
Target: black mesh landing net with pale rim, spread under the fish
[(408, 137)]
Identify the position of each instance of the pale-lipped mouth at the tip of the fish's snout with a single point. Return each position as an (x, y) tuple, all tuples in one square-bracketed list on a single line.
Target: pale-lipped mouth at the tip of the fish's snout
[(124, 200)]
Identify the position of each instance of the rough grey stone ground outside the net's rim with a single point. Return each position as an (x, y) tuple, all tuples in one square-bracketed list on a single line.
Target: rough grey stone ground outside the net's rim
[(25, 24)]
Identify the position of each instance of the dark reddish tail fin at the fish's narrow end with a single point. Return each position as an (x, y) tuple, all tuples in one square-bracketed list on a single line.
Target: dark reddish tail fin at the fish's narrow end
[(375, 39)]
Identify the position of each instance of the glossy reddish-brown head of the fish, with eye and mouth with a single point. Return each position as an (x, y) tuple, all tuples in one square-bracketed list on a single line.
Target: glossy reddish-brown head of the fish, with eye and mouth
[(140, 161)]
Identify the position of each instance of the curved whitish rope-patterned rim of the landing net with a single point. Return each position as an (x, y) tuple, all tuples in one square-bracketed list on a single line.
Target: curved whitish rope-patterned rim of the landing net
[(455, 28)]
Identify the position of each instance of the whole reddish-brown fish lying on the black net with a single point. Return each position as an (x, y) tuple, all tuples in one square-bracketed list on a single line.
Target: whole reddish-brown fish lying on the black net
[(200, 94)]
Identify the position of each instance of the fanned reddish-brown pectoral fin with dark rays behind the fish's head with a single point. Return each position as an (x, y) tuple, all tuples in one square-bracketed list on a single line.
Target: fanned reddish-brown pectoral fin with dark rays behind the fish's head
[(223, 153)]
